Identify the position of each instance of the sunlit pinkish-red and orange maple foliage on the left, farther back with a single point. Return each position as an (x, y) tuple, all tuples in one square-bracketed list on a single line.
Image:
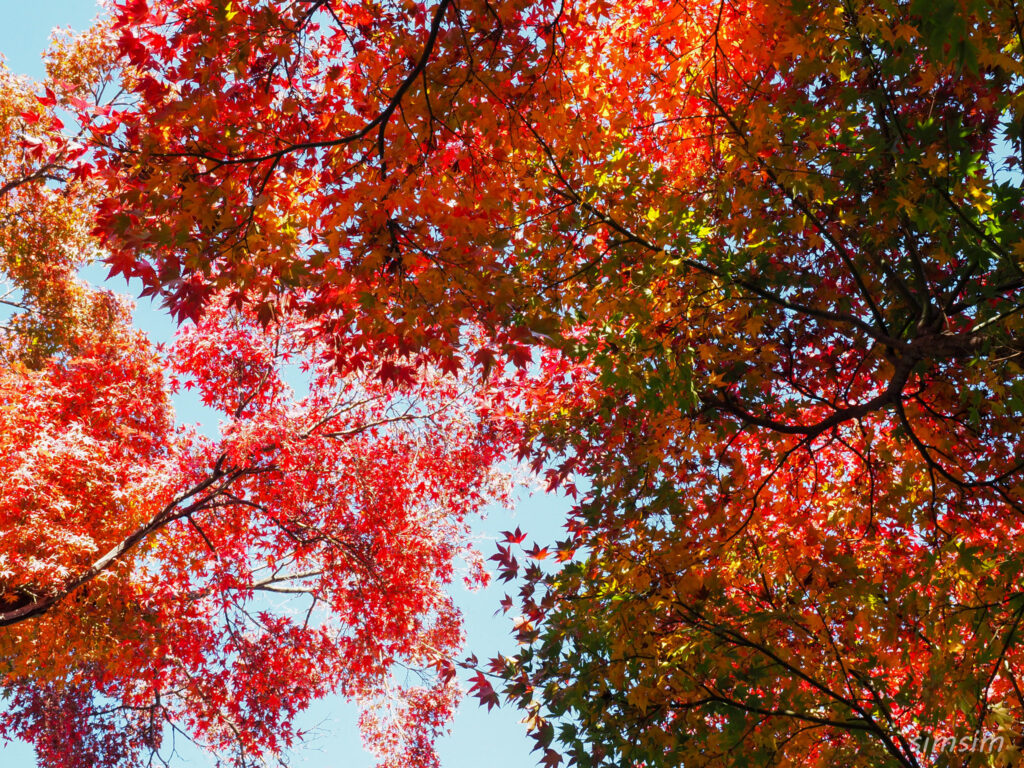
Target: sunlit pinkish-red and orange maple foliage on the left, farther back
[(159, 581)]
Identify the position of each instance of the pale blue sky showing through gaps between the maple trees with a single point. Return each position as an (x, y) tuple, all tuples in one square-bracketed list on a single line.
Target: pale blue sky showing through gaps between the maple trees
[(496, 740)]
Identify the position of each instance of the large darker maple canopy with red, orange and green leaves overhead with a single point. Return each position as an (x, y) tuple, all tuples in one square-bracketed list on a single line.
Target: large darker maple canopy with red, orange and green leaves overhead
[(767, 260)]
